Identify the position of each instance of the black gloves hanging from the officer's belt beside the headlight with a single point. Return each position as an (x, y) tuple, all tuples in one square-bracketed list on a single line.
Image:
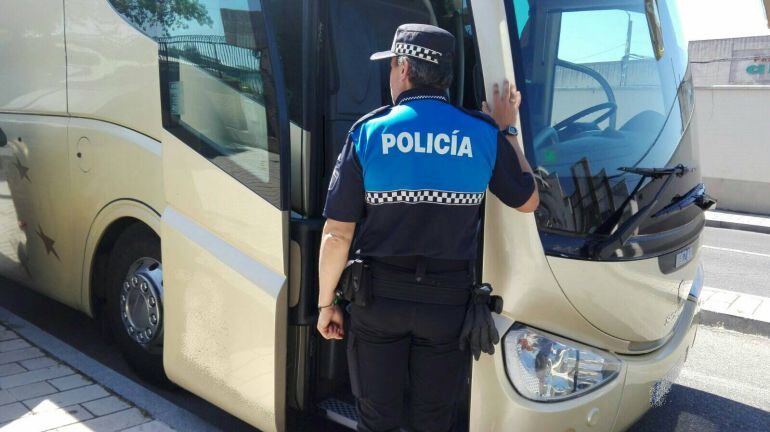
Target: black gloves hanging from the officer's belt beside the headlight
[(479, 330)]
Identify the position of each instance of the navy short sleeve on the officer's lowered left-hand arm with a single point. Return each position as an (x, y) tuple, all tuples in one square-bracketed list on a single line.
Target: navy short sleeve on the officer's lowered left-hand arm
[(345, 199)]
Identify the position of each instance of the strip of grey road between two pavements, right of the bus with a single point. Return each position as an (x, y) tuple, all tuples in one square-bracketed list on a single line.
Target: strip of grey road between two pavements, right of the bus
[(736, 261)]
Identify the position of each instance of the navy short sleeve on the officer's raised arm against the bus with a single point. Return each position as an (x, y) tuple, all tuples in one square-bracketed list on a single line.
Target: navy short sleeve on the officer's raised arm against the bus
[(509, 182)]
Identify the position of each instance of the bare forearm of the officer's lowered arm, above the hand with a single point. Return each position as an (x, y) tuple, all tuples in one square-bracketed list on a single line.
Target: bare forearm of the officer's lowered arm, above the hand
[(335, 246)]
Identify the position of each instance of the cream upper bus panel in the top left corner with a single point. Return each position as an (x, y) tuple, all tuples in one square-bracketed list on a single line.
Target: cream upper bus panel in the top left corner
[(33, 53)]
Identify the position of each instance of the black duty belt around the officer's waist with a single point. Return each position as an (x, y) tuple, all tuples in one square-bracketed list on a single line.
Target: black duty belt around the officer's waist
[(446, 288)]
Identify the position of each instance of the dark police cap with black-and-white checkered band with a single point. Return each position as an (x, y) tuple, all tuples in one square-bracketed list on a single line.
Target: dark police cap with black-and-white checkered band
[(421, 41)]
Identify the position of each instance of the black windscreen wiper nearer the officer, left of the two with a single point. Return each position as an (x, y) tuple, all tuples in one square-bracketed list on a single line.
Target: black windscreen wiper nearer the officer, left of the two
[(618, 239)]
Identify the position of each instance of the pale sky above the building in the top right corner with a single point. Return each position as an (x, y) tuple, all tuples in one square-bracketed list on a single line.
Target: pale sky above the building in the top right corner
[(716, 19)]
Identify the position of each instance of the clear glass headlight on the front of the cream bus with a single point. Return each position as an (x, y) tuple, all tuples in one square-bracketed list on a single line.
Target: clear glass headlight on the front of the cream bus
[(547, 368)]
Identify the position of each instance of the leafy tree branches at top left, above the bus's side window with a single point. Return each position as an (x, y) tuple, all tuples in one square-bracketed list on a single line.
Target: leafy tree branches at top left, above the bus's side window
[(164, 14)]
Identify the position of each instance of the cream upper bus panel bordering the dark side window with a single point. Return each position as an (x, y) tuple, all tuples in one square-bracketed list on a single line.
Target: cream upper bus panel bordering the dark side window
[(112, 68)]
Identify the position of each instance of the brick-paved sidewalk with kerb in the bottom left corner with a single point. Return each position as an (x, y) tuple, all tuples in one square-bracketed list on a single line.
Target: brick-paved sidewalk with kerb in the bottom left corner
[(47, 385)]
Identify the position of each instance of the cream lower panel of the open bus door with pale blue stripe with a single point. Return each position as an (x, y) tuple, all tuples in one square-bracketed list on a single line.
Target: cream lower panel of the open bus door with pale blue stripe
[(225, 289)]
